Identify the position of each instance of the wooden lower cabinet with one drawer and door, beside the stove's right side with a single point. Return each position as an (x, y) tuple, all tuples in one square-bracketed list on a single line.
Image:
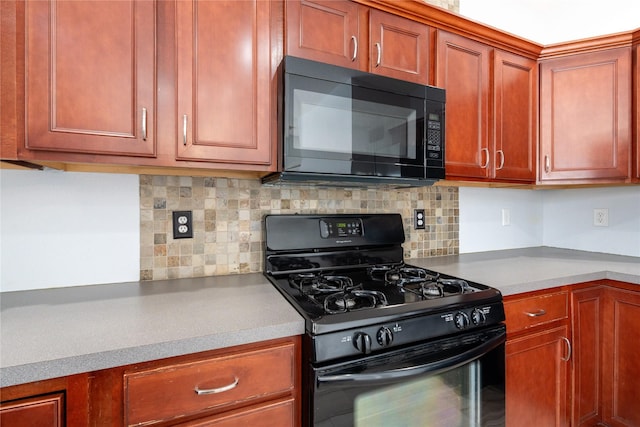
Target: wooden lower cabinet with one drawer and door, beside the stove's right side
[(538, 353)]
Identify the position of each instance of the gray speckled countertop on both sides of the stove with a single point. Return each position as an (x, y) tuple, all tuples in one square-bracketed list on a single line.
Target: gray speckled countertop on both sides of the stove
[(57, 332)]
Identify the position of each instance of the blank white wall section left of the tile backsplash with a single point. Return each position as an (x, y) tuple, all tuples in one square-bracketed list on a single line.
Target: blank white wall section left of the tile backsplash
[(64, 229)]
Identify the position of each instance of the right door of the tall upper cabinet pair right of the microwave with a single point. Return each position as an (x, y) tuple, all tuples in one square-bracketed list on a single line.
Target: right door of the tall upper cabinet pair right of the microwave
[(515, 124)]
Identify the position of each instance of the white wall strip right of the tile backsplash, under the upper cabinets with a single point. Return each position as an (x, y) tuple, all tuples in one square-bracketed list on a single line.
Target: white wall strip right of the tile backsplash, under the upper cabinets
[(558, 218)]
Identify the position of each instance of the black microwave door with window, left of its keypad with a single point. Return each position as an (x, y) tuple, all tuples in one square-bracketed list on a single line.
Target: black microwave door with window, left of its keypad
[(338, 128)]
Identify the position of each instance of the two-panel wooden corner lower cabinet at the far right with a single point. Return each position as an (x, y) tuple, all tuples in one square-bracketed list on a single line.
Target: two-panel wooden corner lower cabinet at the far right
[(606, 338)]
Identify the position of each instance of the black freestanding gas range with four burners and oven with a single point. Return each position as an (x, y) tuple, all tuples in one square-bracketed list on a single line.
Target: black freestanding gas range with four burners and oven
[(377, 328)]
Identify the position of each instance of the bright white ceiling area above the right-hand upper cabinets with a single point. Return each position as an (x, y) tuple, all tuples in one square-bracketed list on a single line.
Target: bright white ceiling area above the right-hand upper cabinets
[(553, 21)]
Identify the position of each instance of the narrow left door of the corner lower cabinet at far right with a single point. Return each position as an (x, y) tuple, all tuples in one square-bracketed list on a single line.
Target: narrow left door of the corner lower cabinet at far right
[(587, 334)]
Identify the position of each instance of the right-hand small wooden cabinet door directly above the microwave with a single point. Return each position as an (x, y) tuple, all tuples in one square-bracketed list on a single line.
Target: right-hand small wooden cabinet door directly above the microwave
[(399, 47)]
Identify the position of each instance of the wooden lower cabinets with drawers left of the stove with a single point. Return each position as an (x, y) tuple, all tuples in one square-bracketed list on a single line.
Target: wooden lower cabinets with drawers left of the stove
[(255, 385)]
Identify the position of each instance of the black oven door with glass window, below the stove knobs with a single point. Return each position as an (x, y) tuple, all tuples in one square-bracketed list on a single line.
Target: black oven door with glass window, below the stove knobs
[(457, 381)]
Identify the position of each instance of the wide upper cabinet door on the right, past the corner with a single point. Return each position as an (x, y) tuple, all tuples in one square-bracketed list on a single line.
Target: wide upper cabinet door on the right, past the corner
[(585, 118)]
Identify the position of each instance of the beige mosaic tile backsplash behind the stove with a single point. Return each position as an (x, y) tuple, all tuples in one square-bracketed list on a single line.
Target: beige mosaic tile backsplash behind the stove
[(227, 221)]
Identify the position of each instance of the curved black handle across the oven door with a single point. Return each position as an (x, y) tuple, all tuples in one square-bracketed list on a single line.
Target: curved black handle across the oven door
[(431, 367)]
